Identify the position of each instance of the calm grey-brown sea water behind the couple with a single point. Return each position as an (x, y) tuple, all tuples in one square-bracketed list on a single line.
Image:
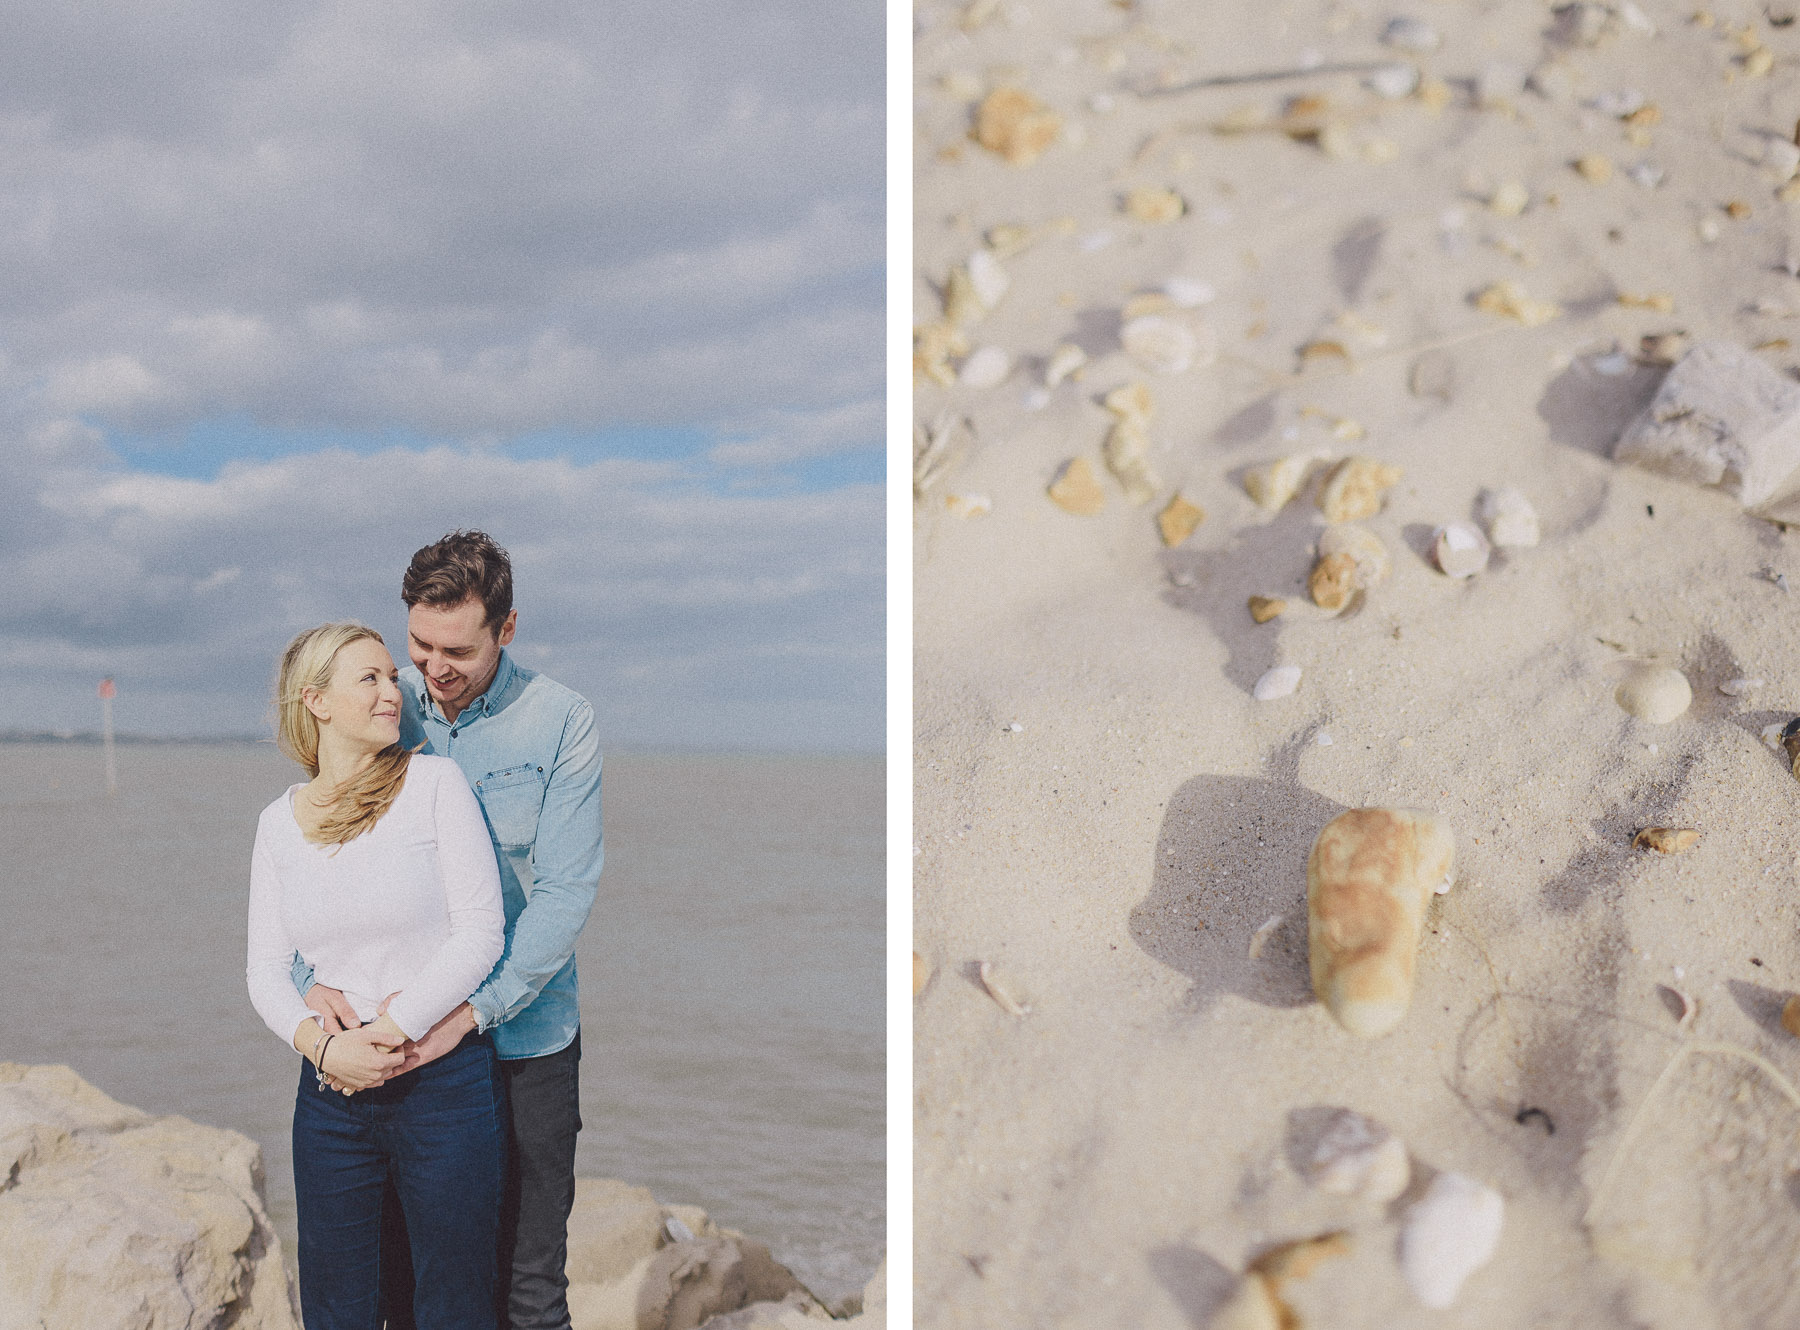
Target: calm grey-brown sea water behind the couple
[(732, 973)]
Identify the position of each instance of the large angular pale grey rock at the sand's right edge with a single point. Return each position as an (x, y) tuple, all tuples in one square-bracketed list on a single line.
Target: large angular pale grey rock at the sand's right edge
[(1722, 418)]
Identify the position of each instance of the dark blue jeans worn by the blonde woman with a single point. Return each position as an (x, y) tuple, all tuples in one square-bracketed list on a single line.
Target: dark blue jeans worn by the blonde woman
[(440, 1137)]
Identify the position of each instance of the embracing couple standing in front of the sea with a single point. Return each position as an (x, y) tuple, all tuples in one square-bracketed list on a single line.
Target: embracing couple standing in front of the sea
[(413, 921)]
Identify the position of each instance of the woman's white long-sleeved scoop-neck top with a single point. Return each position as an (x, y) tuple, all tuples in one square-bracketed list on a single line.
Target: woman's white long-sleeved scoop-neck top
[(411, 906)]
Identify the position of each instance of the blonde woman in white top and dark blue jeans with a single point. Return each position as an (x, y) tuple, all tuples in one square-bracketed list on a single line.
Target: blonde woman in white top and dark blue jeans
[(381, 874)]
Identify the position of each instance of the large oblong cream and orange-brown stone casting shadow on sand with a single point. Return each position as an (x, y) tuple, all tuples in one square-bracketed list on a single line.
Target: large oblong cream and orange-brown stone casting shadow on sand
[(1369, 879)]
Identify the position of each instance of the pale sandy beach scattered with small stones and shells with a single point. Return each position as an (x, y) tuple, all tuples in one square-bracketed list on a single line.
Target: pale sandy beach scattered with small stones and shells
[(1110, 820)]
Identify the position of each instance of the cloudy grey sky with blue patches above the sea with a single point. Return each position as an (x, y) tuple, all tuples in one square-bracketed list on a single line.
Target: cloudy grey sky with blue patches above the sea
[(294, 291)]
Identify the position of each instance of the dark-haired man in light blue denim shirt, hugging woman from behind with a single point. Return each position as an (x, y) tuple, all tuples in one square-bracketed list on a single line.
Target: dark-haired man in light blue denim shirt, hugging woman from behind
[(528, 748)]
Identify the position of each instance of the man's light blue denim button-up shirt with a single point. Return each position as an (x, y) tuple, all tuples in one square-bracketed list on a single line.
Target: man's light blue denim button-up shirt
[(530, 751)]
